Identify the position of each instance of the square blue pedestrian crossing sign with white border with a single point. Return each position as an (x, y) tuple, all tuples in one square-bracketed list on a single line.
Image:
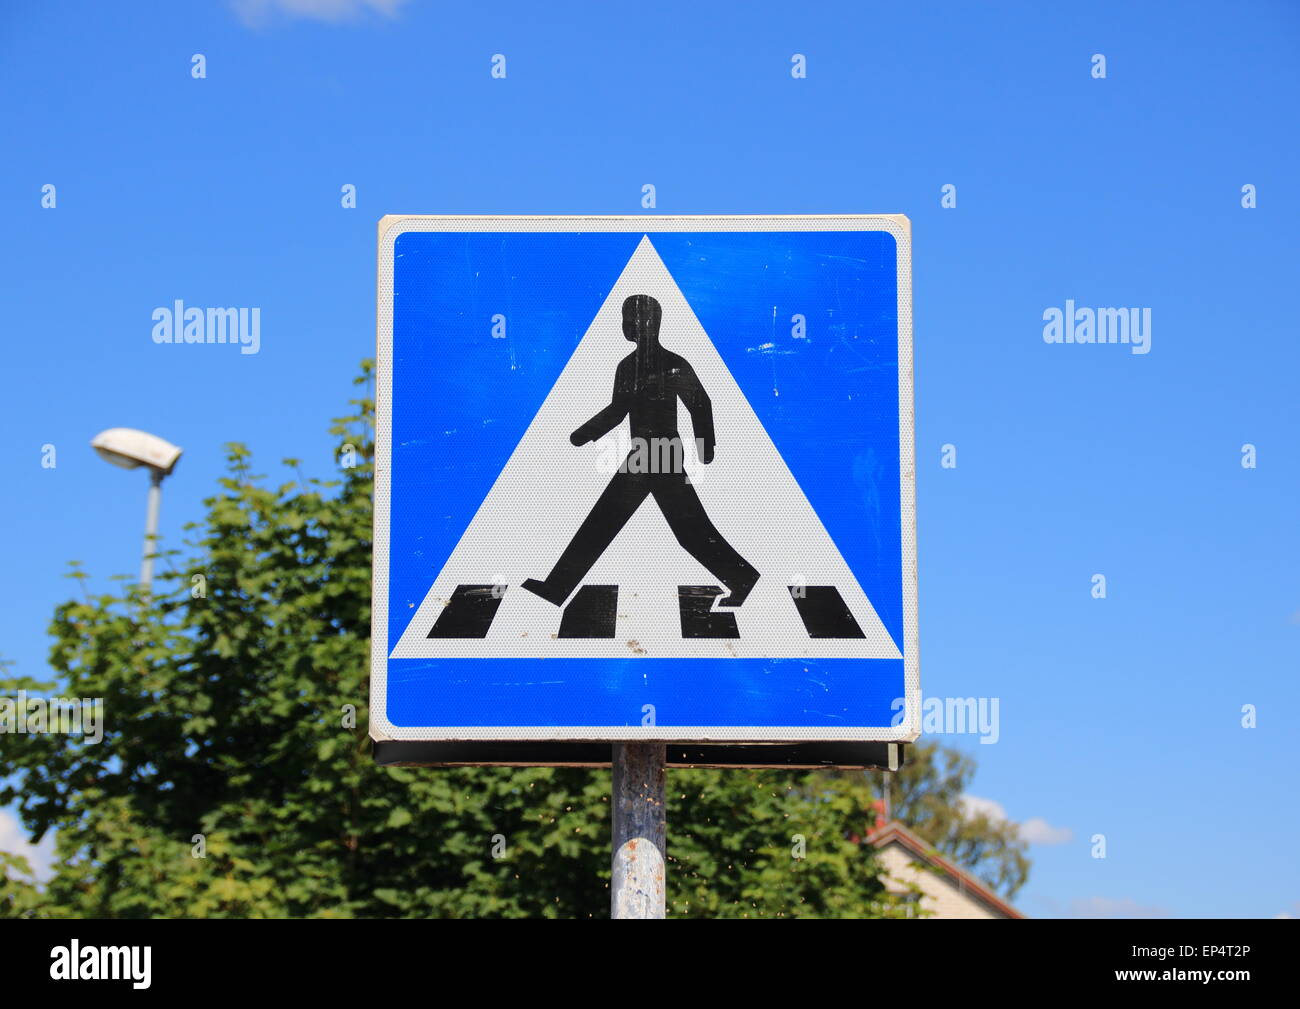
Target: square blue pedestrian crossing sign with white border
[(645, 479)]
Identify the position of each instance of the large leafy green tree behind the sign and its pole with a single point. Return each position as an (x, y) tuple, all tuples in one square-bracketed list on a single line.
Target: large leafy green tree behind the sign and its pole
[(236, 777)]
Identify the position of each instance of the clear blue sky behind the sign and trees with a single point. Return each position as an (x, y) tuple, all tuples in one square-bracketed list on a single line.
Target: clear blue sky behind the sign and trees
[(1119, 717)]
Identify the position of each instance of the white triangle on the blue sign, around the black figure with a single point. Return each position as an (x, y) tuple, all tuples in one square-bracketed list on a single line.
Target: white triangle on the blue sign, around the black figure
[(548, 488)]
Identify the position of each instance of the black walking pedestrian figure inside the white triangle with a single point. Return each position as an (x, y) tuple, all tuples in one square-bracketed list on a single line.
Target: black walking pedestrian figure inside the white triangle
[(647, 387)]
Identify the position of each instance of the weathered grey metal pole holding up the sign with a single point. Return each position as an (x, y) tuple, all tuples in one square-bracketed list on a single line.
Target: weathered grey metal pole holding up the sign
[(640, 825)]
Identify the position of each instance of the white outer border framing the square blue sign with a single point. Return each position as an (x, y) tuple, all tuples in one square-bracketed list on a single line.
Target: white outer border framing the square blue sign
[(393, 226)]
